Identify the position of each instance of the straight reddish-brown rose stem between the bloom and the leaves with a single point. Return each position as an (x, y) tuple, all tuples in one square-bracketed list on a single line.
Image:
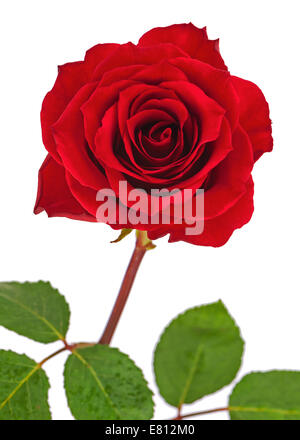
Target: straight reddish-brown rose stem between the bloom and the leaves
[(141, 246)]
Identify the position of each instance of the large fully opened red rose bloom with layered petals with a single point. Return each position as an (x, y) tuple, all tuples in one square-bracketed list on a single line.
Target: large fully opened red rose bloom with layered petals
[(164, 113)]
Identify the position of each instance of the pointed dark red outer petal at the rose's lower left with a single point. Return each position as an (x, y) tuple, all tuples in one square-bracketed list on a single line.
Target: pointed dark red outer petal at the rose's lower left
[(54, 195)]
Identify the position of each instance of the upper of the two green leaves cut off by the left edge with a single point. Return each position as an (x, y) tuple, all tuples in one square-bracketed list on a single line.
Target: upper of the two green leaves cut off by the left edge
[(35, 310)]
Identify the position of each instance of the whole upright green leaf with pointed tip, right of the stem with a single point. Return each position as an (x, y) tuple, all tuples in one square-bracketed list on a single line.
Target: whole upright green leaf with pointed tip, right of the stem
[(198, 353)]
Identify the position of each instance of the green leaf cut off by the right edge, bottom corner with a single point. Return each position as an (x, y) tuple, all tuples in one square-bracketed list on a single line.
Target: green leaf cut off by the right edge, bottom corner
[(273, 395)]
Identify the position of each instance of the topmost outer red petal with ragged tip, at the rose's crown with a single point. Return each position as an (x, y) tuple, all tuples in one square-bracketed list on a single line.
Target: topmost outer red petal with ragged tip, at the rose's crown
[(189, 38)]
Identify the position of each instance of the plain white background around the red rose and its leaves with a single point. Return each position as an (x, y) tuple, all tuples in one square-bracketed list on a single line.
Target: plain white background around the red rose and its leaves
[(256, 273)]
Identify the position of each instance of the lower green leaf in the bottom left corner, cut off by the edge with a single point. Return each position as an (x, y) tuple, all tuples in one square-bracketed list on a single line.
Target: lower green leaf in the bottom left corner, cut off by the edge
[(23, 388)]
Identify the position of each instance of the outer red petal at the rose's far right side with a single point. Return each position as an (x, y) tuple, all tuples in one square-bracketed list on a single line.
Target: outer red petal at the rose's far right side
[(254, 116)]
